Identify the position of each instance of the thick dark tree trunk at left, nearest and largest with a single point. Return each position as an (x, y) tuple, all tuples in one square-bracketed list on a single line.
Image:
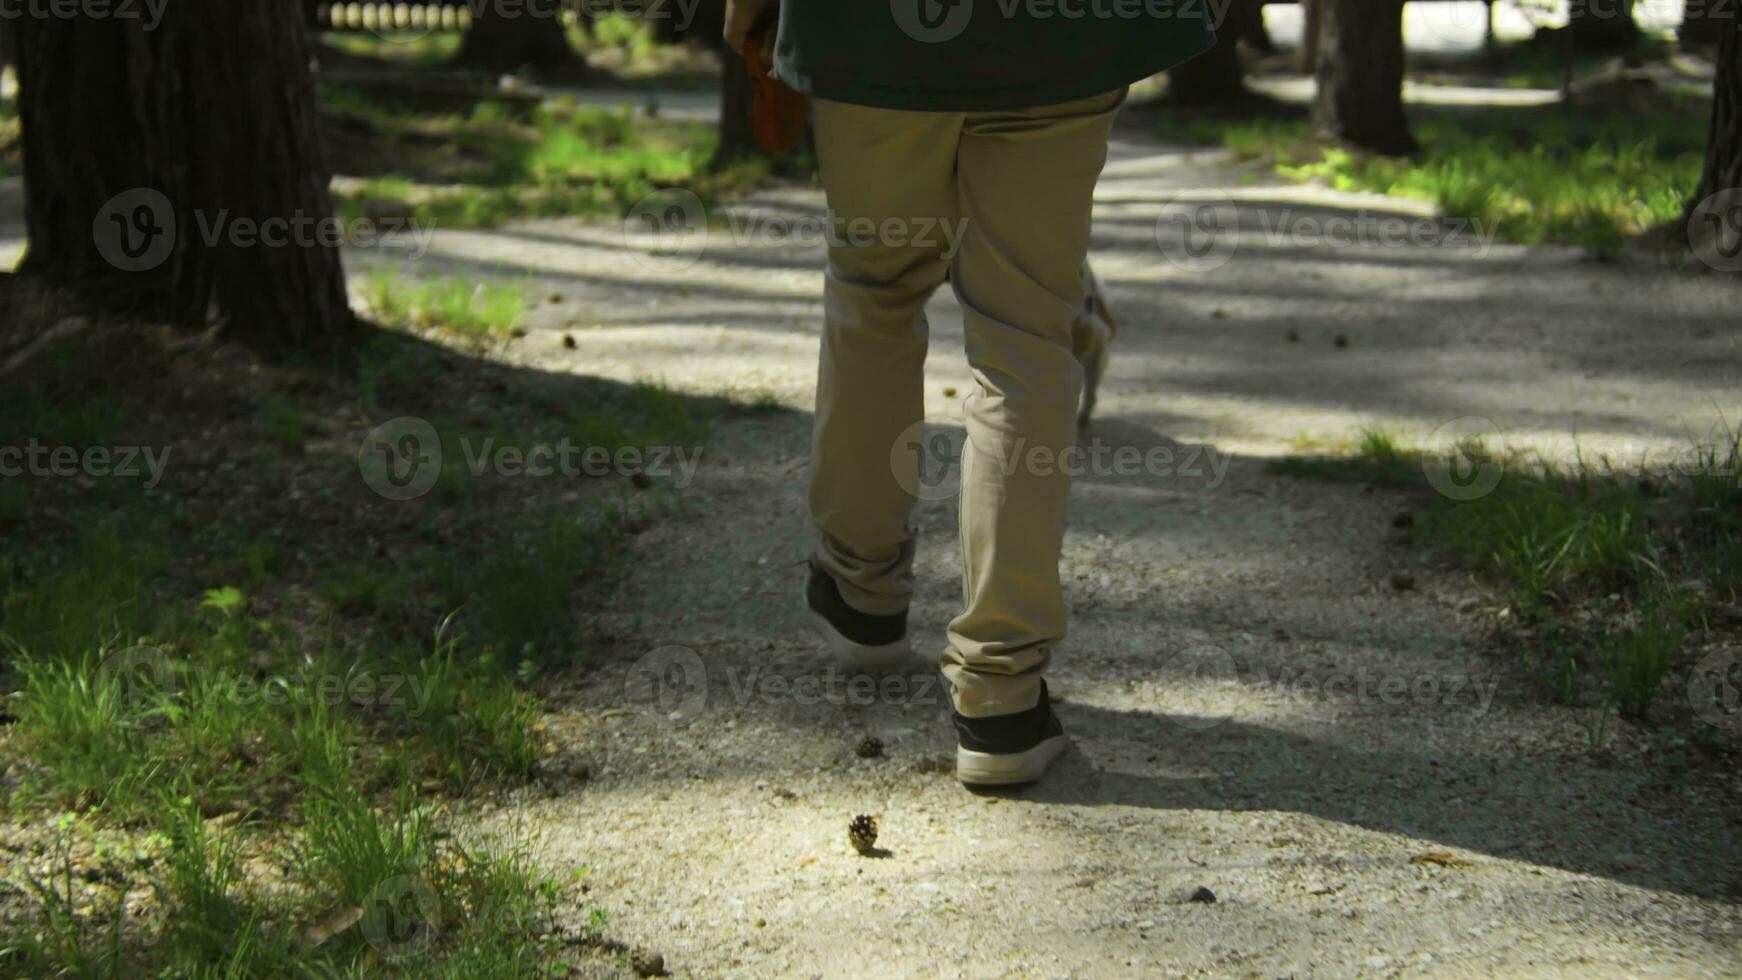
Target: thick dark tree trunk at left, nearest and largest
[(173, 170)]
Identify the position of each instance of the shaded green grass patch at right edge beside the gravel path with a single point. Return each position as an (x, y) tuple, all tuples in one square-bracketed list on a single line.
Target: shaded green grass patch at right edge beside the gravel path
[(1590, 561)]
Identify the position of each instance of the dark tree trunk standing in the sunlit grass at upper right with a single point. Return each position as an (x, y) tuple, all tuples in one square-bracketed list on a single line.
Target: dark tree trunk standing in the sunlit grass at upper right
[(1361, 76)]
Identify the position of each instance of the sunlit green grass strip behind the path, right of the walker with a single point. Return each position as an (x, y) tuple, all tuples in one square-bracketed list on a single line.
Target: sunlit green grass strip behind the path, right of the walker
[(1539, 177)]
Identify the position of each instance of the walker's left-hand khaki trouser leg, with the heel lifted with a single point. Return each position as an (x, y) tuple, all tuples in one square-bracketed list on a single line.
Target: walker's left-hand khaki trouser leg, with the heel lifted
[(893, 175)]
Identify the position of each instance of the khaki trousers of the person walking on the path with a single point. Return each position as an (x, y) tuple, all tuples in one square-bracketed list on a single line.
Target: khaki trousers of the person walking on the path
[(1020, 187)]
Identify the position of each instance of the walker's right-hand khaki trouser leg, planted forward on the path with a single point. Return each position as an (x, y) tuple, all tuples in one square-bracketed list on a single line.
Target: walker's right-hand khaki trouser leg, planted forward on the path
[(1027, 182)]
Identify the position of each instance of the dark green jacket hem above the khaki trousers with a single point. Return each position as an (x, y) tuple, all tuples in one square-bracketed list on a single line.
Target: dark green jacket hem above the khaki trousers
[(982, 55)]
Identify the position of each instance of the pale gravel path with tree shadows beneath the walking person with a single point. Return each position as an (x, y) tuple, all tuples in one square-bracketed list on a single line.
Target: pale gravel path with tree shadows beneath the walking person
[(1257, 711)]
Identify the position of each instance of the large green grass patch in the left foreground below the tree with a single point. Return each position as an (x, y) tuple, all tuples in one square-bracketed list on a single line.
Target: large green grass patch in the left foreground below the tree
[(165, 671)]
